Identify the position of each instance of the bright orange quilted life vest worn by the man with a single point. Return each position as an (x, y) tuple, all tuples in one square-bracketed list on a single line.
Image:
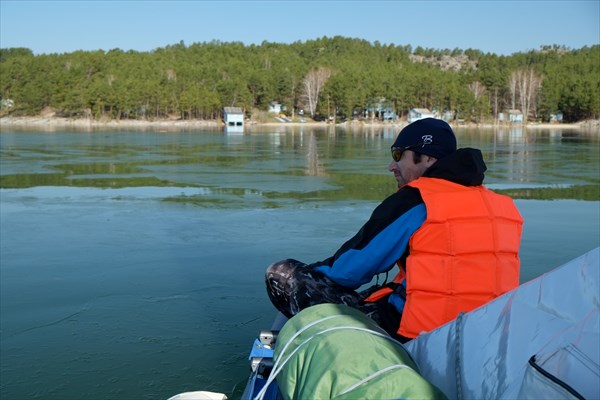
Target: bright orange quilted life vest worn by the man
[(464, 255)]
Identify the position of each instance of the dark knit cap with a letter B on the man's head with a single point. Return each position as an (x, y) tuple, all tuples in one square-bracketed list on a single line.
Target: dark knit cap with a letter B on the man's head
[(430, 136)]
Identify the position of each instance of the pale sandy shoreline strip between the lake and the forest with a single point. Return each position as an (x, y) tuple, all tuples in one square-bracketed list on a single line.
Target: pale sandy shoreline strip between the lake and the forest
[(53, 123)]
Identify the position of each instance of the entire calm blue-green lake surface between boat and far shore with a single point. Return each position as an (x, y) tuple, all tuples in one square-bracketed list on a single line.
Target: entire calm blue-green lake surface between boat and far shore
[(132, 262)]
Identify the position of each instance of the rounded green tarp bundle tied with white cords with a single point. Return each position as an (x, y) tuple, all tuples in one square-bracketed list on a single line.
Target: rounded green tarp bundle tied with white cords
[(334, 351)]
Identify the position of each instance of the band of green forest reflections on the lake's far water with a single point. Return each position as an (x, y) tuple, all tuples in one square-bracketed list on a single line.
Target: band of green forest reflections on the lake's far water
[(263, 161)]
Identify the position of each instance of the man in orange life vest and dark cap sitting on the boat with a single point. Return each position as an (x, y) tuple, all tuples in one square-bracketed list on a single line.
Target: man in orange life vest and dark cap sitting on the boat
[(455, 242)]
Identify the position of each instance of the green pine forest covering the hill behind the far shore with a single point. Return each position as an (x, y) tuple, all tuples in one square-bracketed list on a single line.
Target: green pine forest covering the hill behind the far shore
[(338, 76)]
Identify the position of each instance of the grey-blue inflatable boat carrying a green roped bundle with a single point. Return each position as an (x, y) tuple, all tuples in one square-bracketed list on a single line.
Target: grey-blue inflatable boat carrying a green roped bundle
[(541, 340)]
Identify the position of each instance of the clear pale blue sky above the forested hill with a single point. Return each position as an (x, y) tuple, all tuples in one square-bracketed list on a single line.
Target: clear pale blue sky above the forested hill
[(501, 27)]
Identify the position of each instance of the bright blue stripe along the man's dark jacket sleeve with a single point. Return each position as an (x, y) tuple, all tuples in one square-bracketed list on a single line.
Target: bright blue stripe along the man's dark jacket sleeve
[(357, 267)]
